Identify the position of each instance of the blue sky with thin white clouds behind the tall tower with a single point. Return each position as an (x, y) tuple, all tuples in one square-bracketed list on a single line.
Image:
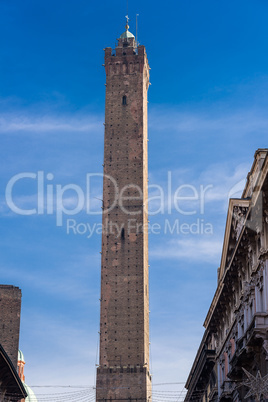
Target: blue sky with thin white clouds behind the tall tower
[(207, 116)]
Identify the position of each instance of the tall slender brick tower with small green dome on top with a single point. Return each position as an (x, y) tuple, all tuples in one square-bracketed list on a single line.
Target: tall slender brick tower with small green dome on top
[(123, 372)]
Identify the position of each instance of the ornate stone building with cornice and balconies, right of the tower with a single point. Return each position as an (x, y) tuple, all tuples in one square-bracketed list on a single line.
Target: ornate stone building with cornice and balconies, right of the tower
[(233, 354)]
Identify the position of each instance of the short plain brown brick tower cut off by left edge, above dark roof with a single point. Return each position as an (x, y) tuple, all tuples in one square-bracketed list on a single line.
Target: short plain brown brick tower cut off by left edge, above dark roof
[(10, 308)]
